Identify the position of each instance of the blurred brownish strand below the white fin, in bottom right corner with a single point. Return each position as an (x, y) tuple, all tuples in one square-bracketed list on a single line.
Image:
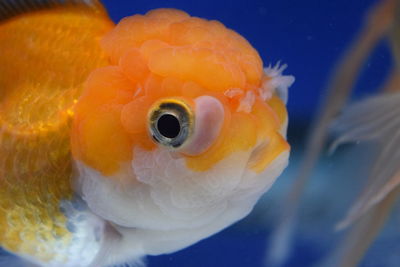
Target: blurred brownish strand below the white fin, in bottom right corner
[(362, 234)]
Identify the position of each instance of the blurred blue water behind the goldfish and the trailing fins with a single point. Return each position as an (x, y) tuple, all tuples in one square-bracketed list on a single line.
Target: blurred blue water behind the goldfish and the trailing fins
[(309, 36)]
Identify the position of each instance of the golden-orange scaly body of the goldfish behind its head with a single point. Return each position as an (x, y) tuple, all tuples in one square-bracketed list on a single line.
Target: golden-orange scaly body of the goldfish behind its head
[(46, 56)]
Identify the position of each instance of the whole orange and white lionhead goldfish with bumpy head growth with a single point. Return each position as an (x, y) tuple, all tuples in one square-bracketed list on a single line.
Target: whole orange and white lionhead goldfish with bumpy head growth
[(119, 141)]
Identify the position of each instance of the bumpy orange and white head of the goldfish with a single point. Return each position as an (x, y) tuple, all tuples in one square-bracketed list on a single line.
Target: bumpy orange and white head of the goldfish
[(184, 131)]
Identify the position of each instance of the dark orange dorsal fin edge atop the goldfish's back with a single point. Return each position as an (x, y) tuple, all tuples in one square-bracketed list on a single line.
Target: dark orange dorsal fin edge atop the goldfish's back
[(11, 8)]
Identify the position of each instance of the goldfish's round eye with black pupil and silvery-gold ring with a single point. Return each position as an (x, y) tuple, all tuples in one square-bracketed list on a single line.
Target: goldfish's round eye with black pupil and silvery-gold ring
[(171, 122)]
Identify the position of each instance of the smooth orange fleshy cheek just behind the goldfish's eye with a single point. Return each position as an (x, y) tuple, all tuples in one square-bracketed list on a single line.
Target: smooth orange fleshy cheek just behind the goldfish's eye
[(98, 138)]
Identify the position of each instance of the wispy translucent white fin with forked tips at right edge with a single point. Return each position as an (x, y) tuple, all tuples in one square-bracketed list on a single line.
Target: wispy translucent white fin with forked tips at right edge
[(377, 118)]
